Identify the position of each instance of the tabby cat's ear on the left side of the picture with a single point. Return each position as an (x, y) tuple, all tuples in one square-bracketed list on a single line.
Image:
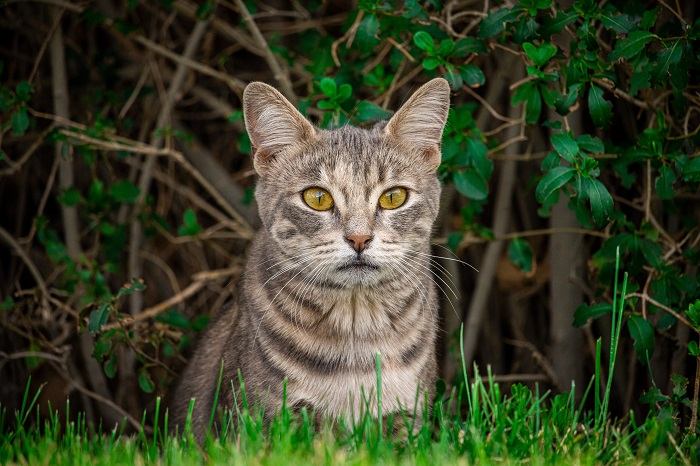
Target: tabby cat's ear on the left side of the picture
[(273, 124)]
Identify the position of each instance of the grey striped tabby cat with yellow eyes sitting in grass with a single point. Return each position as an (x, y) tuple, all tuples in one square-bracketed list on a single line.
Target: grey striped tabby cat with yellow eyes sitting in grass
[(339, 271)]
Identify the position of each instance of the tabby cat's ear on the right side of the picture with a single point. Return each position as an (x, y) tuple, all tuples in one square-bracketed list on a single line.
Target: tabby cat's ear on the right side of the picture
[(420, 121)]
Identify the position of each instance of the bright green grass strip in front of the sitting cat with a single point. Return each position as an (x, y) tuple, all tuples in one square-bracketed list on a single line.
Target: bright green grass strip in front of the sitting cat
[(474, 423)]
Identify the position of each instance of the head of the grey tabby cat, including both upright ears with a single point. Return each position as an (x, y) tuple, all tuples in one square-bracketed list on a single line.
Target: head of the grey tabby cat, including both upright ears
[(348, 206)]
